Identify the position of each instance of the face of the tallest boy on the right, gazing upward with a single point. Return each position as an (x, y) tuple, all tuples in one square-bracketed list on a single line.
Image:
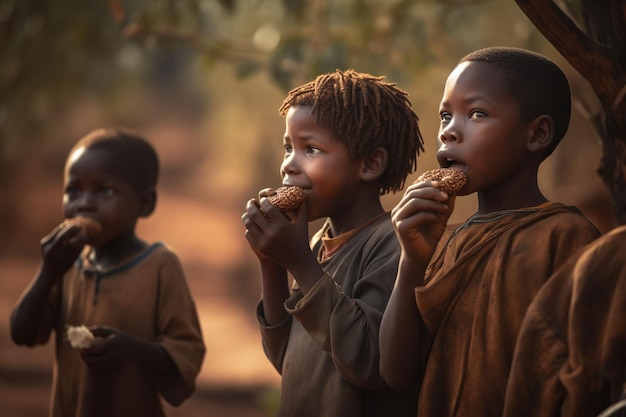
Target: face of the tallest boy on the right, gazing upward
[(481, 131)]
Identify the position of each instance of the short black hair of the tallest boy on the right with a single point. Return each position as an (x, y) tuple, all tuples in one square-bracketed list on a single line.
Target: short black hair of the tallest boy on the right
[(536, 82)]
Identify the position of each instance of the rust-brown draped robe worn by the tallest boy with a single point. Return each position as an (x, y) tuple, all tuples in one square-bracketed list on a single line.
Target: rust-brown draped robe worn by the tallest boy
[(477, 289)]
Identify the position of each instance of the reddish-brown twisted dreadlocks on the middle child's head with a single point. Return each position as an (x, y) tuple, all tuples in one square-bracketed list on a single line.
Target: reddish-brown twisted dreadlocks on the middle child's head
[(364, 112)]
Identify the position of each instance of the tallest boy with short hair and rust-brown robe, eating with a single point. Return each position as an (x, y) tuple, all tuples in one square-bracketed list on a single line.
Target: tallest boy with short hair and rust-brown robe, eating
[(450, 327)]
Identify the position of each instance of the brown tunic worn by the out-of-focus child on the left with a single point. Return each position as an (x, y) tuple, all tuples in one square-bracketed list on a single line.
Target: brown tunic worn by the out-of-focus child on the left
[(147, 297)]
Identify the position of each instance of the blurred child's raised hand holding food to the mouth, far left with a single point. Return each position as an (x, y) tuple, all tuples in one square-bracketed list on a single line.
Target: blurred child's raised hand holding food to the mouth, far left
[(60, 248)]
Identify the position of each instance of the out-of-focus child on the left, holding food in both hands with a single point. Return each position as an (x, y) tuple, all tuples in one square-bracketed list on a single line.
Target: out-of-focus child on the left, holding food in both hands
[(132, 295)]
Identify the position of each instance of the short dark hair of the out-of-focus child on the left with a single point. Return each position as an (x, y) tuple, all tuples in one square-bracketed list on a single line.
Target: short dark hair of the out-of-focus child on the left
[(135, 157)]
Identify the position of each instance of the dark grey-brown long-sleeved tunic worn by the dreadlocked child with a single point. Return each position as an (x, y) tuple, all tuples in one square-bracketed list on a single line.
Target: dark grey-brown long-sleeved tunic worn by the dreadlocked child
[(327, 350)]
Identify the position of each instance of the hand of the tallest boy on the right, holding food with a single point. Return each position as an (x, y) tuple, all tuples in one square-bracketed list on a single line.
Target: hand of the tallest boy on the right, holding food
[(420, 219)]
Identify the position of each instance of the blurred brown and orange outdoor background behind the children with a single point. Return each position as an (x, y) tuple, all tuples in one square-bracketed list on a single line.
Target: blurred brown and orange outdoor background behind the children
[(203, 80)]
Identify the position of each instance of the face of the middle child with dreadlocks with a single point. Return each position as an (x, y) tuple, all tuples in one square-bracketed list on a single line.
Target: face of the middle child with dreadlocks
[(317, 161)]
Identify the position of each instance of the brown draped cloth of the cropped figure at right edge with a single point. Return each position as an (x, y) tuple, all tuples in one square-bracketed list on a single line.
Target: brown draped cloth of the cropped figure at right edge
[(570, 359)]
